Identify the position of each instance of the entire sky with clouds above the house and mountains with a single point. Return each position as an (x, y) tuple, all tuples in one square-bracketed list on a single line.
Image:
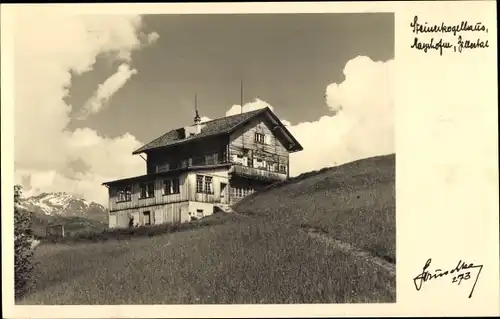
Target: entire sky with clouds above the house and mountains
[(89, 90)]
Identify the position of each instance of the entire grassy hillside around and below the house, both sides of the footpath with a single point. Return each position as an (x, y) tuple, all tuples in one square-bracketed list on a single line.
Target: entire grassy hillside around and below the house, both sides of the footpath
[(259, 256)]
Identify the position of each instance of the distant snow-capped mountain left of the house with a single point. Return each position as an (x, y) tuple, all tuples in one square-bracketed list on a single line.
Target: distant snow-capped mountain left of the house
[(63, 204)]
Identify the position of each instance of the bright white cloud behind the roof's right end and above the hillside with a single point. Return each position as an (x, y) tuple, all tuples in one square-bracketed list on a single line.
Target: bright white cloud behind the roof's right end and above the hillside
[(361, 123)]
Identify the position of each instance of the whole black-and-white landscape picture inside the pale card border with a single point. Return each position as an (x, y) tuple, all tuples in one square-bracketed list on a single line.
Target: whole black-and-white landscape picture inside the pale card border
[(207, 159)]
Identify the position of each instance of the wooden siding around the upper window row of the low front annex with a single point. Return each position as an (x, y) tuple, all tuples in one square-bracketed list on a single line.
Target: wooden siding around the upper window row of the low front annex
[(158, 198)]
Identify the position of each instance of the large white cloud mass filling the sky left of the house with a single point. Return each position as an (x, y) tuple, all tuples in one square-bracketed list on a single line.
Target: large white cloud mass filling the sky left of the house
[(48, 49)]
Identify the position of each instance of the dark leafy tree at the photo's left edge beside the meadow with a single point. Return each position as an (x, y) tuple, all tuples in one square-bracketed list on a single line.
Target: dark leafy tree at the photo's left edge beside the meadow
[(23, 252)]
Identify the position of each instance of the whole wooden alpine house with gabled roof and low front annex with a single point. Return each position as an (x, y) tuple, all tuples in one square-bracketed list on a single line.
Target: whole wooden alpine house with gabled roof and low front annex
[(194, 170)]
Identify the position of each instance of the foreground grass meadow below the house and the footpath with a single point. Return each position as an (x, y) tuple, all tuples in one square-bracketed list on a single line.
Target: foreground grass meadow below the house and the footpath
[(250, 262)]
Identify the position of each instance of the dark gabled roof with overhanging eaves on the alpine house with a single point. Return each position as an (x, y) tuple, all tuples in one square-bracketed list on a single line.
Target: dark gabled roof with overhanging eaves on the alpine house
[(218, 126)]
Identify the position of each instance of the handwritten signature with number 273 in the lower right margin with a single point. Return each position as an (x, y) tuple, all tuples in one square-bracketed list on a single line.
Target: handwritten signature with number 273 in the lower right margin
[(462, 271)]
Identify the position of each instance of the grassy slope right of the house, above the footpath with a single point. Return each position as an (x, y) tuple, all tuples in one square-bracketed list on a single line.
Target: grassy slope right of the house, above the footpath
[(354, 203)]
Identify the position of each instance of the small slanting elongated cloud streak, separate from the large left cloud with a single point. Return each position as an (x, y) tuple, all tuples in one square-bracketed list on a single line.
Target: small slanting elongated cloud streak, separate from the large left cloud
[(105, 90)]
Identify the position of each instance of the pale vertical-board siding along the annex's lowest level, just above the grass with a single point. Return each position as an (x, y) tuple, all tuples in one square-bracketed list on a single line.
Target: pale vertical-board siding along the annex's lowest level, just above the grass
[(160, 214)]
